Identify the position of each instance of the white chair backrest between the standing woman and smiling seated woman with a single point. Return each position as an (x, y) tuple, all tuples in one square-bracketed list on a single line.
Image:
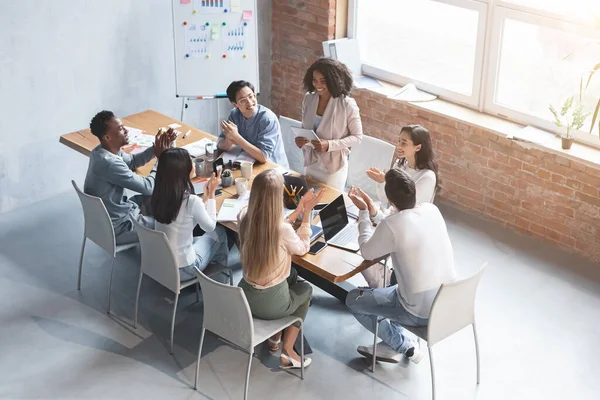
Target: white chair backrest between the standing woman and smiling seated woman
[(371, 152)]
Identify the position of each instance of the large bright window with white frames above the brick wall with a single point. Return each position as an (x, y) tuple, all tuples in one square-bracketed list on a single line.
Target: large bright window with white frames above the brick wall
[(508, 58)]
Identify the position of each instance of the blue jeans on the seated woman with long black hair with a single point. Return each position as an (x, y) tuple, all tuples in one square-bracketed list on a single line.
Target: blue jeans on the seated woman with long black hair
[(207, 250)]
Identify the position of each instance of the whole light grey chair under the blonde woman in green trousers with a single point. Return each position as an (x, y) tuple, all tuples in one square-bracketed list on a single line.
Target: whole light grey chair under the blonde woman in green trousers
[(227, 314)]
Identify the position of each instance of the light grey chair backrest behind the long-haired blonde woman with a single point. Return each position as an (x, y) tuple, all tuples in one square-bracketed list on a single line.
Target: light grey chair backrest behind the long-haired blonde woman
[(226, 312)]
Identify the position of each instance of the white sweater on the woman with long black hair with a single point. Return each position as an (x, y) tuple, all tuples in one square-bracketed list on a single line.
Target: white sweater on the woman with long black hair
[(180, 232)]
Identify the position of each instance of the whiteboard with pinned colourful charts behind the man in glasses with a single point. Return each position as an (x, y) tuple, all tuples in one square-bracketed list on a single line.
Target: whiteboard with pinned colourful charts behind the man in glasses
[(216, 43)]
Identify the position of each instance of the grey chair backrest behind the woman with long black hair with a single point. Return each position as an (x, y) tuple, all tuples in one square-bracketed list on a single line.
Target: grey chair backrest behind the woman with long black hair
[(158, 259)]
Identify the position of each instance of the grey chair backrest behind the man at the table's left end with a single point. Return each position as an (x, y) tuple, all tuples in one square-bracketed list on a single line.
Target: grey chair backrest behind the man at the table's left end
[(97, 224)]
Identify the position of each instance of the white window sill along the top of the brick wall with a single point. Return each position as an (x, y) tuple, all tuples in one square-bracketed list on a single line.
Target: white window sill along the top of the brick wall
[(578, 152)]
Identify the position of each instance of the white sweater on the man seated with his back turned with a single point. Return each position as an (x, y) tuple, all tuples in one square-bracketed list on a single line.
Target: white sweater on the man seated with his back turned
[(421, 252)]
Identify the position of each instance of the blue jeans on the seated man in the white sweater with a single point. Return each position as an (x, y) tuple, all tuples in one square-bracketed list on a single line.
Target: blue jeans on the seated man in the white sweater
[(367, 304)]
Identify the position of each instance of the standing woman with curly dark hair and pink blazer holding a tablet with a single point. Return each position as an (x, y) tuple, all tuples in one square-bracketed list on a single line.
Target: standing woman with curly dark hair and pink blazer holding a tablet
[(334, 116)]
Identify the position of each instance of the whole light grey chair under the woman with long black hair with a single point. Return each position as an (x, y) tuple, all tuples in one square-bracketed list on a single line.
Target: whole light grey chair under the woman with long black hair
[(158, 262)]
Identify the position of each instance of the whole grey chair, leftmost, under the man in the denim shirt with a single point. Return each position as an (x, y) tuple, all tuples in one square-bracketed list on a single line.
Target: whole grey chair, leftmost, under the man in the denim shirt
[(98, 228)]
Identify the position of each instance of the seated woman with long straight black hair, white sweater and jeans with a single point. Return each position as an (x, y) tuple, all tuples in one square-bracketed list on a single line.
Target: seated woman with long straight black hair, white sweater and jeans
[(177, 210)]
